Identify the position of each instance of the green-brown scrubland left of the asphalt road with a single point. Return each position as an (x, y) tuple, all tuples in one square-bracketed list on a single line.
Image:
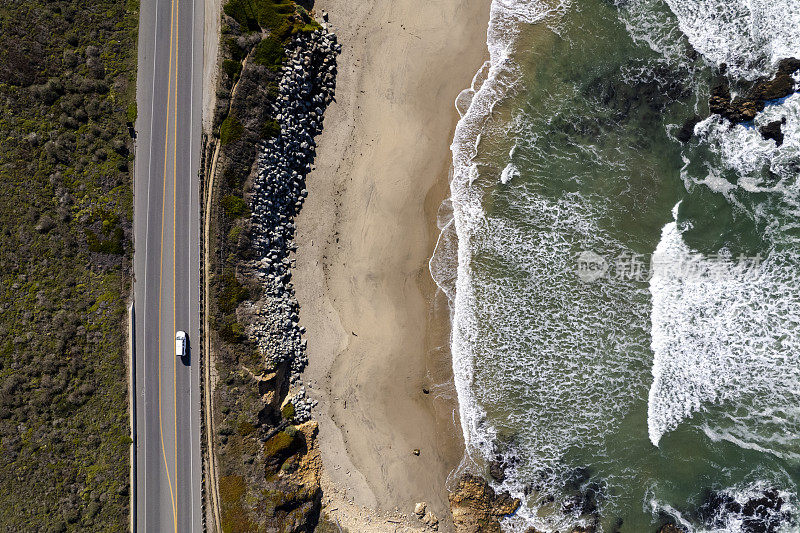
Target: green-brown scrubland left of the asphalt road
[(67, 82)]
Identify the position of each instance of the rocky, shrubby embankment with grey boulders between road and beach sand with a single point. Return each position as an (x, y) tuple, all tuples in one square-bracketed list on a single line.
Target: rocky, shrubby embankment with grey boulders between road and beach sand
[(278, 71)]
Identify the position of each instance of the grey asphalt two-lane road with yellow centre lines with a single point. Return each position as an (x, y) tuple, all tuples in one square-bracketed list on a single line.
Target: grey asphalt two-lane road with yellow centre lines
[(167, 266)]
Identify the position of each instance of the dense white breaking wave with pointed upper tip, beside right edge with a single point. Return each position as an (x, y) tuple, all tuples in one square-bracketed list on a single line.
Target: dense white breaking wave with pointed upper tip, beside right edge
[(725, 337)]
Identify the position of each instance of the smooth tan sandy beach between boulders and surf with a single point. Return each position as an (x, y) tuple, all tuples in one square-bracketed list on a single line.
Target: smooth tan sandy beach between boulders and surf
[(377, 329)]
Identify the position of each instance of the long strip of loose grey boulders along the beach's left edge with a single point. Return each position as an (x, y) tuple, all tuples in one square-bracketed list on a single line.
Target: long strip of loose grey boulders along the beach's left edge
[(306, 88)]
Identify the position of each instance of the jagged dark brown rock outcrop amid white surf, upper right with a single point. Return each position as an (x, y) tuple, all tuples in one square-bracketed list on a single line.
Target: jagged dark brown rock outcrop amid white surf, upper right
[(745, 109)]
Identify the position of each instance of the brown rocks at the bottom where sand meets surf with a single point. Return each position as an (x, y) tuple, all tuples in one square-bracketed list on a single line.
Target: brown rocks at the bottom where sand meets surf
[(477, 508)]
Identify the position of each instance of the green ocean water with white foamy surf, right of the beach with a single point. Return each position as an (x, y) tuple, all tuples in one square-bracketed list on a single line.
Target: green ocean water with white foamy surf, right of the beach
[(664, 377)]
